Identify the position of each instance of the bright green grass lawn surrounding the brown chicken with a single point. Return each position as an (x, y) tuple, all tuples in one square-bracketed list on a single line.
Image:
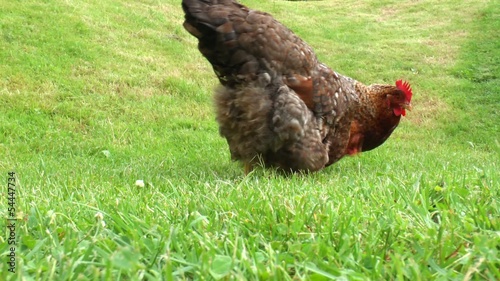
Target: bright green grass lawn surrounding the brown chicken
[(98, 94)]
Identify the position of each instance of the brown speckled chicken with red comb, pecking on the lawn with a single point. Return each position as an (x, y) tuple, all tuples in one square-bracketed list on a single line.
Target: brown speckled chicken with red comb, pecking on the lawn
[(277, 104)]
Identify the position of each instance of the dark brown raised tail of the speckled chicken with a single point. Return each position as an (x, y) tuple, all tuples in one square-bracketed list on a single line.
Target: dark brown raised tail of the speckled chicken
[(218, 24)]
